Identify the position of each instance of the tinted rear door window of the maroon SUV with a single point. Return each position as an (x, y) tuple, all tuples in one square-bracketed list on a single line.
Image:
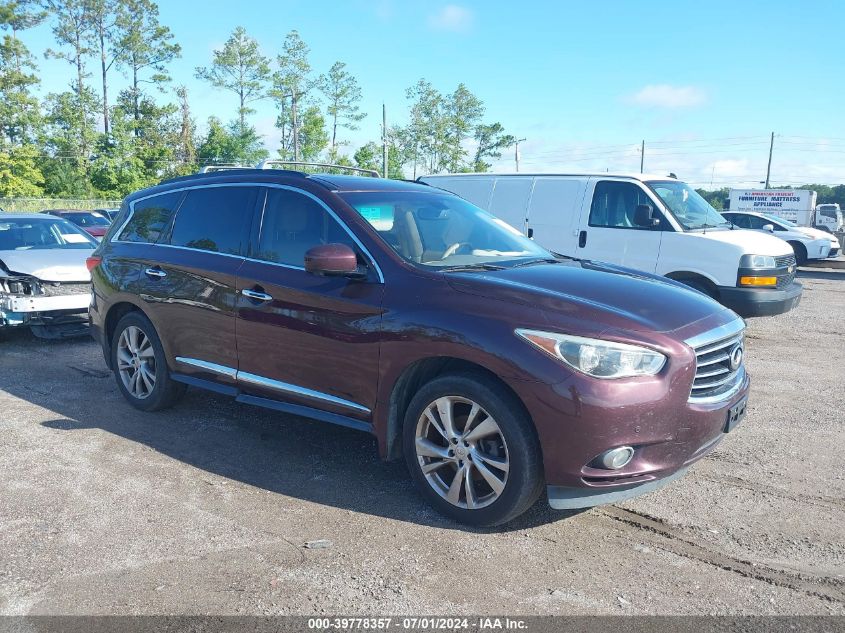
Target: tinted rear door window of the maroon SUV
[(215, 219)]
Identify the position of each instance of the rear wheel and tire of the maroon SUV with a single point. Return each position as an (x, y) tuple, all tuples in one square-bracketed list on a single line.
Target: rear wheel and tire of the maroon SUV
[(153, 389)]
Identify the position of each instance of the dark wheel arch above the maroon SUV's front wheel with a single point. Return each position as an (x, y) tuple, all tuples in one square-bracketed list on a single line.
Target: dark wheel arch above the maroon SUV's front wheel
[(417, 374)]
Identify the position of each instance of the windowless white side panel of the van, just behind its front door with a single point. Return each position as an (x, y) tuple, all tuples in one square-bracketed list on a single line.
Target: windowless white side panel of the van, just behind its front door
[(553, 212)]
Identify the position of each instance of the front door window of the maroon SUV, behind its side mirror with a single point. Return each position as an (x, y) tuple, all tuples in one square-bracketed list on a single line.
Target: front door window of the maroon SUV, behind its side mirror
[(294, 223)]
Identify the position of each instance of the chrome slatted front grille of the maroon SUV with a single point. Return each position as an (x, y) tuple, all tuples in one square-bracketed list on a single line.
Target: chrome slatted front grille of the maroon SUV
[(714, 376)]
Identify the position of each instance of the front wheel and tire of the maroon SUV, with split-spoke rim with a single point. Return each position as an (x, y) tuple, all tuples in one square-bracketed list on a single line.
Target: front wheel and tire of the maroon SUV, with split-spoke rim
[(513, 444)]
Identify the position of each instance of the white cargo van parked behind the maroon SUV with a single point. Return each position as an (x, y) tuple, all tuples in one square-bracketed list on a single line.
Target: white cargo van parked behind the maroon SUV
[(651, 223)]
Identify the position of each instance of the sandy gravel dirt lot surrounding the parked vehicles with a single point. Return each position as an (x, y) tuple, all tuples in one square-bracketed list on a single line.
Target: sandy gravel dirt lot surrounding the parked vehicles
[(206, 508)]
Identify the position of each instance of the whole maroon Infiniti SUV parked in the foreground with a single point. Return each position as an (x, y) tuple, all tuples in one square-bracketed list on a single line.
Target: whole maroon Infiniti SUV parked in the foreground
[(494, 367)]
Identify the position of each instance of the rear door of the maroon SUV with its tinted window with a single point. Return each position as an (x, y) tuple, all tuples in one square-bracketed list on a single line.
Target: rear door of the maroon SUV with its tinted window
[(189, 279)]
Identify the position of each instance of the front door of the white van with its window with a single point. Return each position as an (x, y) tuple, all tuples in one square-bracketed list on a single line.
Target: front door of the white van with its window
[(608, 232)]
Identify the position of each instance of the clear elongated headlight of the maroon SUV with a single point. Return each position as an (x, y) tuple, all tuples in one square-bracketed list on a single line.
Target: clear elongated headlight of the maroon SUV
[(601, 359)]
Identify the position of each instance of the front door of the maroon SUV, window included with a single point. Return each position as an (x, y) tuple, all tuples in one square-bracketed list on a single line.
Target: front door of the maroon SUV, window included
[(304, 339)]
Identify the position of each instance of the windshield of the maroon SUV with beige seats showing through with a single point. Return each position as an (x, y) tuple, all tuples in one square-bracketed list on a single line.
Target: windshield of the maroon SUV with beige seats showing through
[(442, 230)]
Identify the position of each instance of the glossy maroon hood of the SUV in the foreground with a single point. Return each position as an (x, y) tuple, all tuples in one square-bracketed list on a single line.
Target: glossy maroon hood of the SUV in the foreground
[(607, 296)]
